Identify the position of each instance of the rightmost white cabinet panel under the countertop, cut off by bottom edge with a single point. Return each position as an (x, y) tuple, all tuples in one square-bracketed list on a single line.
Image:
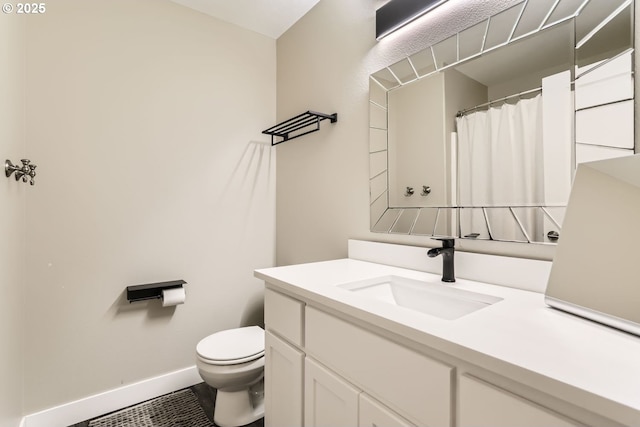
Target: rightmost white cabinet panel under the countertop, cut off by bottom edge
[(482, 404)]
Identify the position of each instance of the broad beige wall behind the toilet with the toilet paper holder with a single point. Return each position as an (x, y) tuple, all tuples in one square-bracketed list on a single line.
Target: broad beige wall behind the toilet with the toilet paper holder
[(144, 118)]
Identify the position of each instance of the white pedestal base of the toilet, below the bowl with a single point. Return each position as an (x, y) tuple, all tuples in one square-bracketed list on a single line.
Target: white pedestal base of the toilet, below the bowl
[(239, 408)]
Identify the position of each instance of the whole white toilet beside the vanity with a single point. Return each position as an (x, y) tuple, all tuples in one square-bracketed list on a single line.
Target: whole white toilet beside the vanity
[(232, 361)]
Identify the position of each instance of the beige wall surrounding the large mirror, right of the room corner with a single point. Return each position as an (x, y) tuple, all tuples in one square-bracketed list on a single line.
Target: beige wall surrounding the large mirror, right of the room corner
[(323, 63)]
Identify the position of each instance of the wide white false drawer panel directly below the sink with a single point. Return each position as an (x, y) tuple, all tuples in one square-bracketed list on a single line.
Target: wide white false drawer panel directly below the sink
[(414, 385)]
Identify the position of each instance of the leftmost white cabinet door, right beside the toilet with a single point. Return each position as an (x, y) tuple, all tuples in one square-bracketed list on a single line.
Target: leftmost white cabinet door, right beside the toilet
[(283, 375)]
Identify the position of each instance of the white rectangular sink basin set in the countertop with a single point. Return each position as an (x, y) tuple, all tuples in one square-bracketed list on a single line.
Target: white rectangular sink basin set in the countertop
[(433, 298)]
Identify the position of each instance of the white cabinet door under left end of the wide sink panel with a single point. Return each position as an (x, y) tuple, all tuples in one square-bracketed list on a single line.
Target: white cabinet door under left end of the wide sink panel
[(329, 401)]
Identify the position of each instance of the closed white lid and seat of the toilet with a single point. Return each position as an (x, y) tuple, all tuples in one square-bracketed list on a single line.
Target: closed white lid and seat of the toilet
[(233, 344)]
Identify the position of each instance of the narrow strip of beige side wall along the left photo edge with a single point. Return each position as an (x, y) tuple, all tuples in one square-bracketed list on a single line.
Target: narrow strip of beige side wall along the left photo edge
[(12, 222)]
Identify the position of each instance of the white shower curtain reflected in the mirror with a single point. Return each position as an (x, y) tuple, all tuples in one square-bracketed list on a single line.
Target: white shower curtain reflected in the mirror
[(500, 156)]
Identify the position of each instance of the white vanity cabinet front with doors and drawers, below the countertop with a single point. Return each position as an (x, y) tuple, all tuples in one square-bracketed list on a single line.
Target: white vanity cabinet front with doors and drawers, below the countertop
[(327, 368)]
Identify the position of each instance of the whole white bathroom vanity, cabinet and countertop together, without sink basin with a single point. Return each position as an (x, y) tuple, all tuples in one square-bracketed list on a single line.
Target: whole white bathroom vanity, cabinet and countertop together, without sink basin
[(515, 363)]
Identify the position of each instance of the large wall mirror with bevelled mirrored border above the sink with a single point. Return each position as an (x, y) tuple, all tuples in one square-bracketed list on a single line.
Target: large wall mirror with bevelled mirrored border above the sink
[(478, 136)]
